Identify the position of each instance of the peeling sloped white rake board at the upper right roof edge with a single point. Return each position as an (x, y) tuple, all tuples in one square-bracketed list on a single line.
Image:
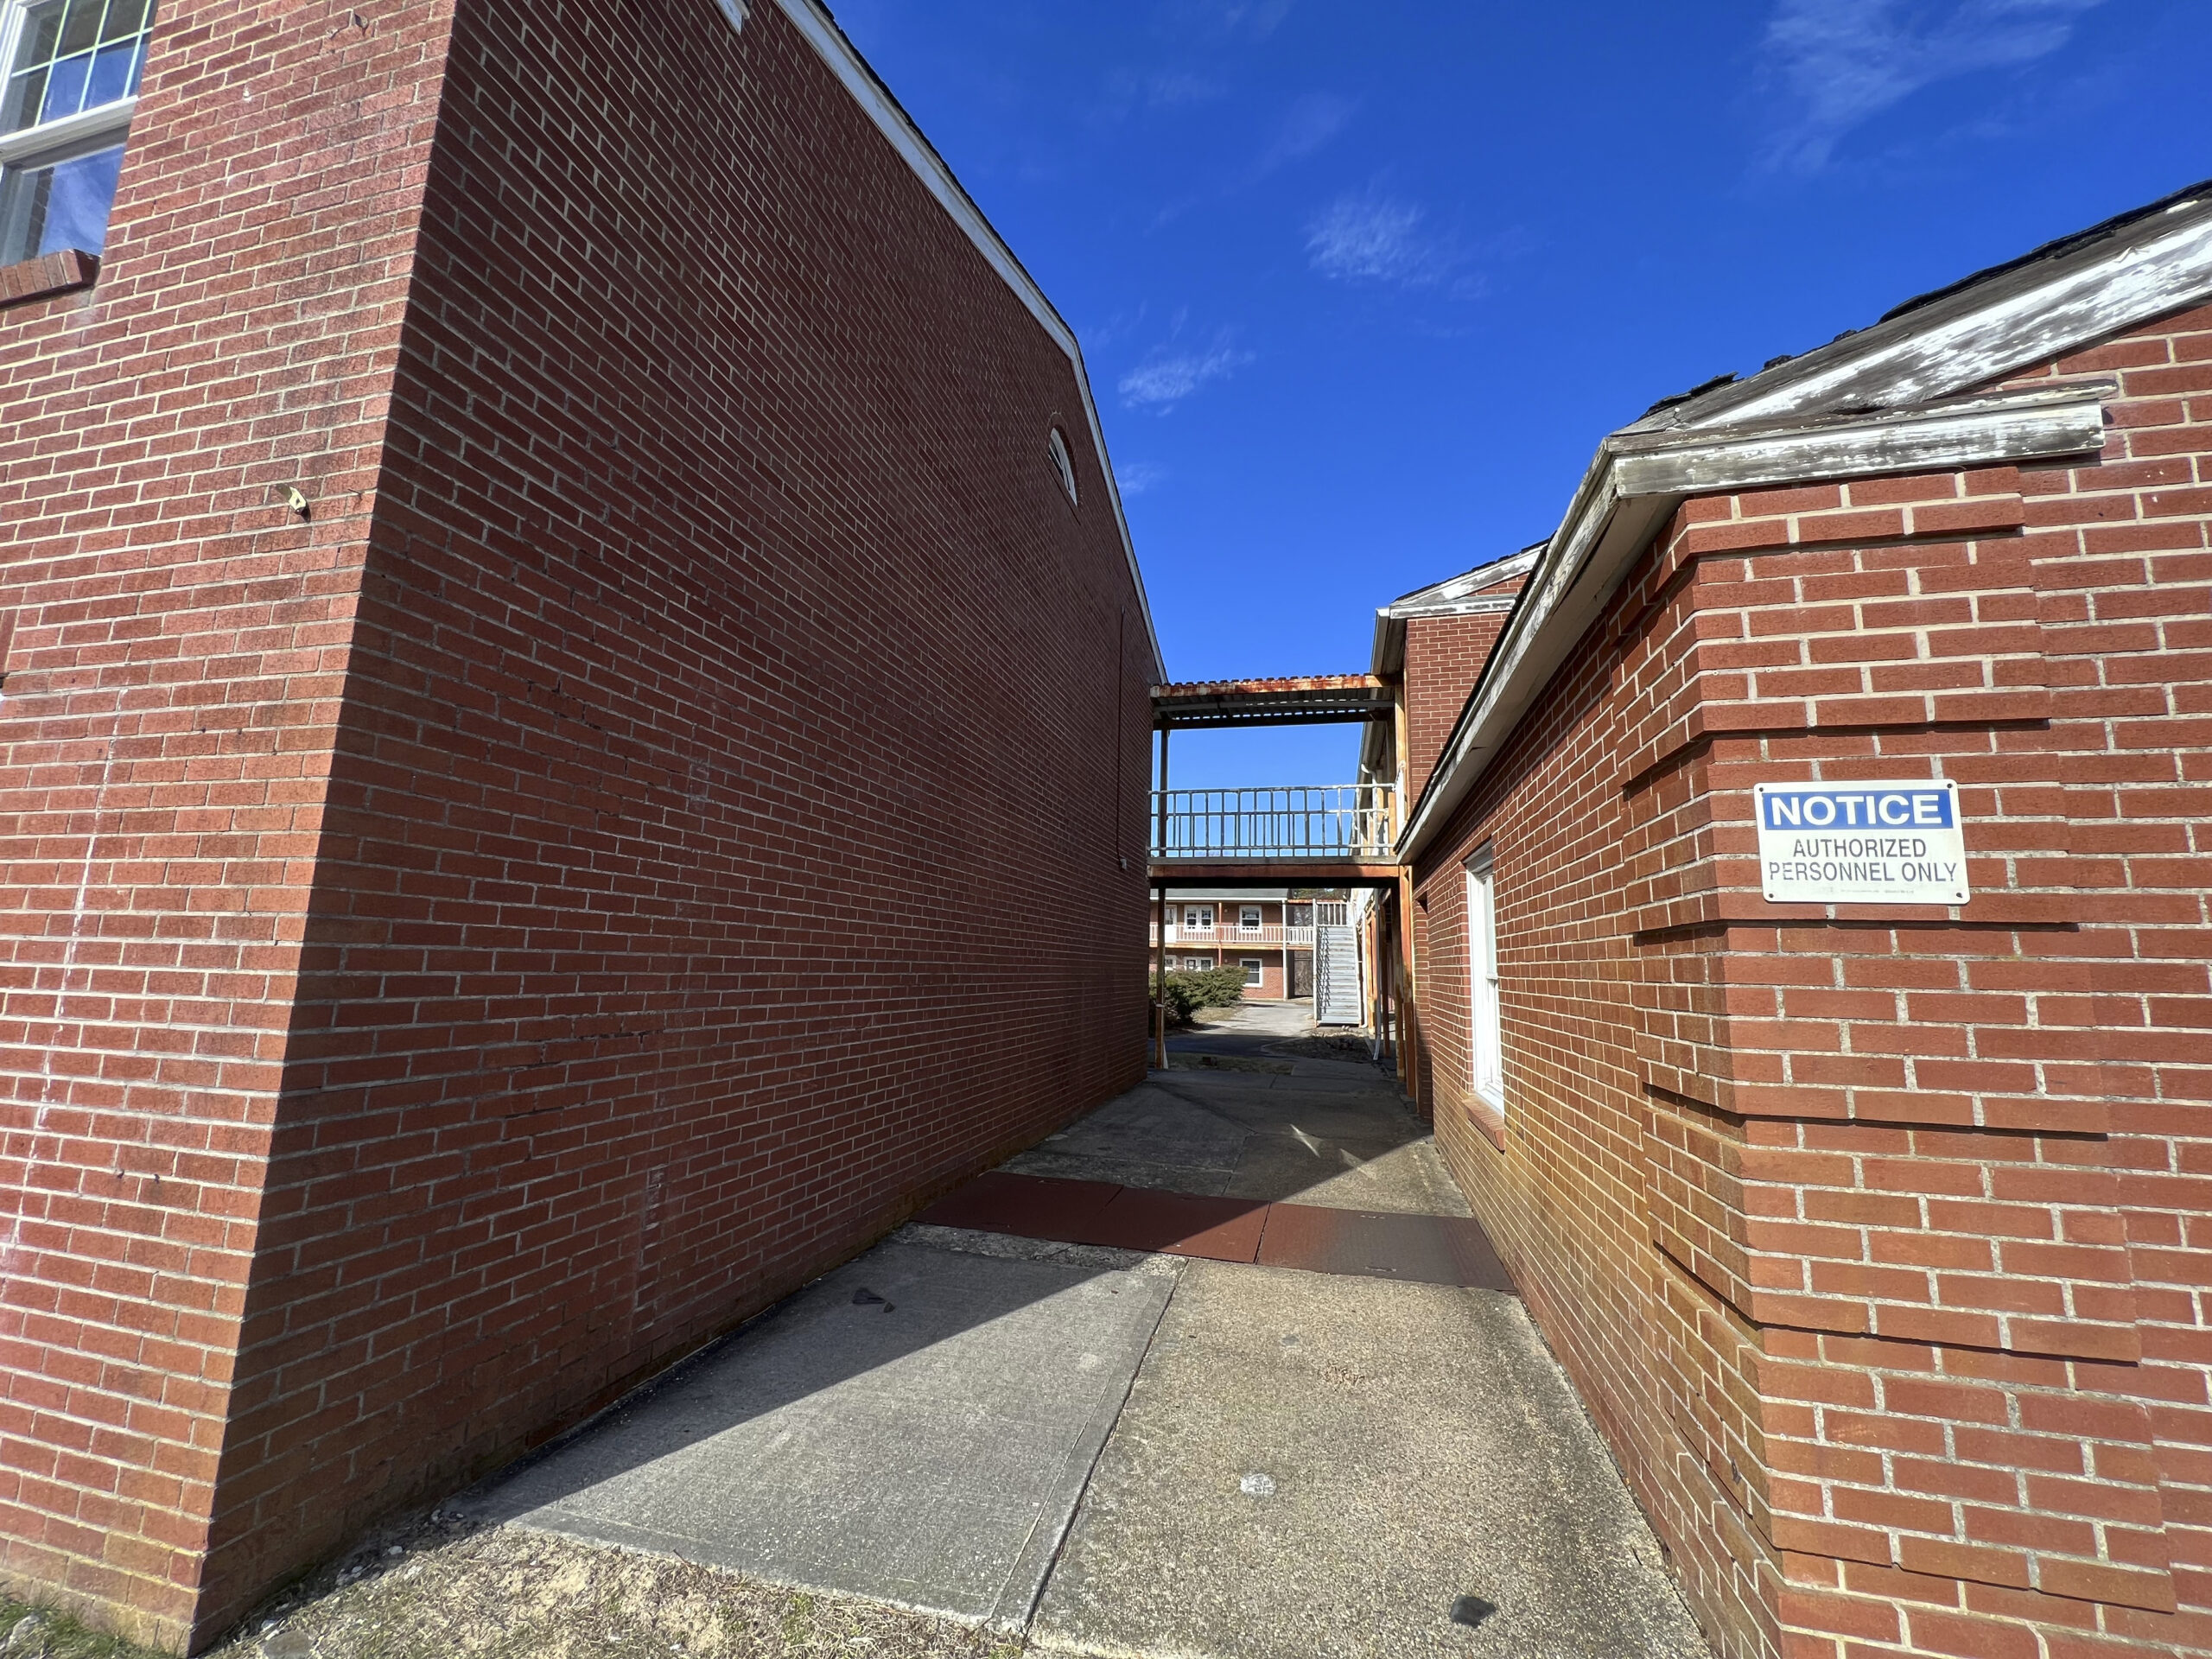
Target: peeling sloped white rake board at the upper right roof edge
[(1985, 333)]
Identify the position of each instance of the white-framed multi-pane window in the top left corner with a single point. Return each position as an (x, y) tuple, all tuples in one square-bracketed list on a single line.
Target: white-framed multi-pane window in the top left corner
[(65, 112)]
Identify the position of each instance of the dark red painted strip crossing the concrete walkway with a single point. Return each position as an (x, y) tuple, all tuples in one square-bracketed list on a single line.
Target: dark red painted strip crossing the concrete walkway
[(1368, 1244)]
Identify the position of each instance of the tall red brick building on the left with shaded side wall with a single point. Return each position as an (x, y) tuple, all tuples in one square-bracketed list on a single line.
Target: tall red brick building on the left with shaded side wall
[(519, 525)]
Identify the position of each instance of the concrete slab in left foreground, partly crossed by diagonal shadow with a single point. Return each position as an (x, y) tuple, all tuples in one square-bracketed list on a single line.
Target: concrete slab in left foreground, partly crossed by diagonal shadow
[(917, 1428)]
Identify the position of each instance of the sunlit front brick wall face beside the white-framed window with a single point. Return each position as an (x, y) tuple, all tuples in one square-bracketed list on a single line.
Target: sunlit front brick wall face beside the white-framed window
[(174, 680)]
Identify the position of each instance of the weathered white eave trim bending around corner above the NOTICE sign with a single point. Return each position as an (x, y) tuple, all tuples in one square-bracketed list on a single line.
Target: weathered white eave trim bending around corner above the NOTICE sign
[(1638, 481)]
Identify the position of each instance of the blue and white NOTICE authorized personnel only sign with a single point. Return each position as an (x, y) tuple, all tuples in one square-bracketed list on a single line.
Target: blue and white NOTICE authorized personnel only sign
[(1861, 844)]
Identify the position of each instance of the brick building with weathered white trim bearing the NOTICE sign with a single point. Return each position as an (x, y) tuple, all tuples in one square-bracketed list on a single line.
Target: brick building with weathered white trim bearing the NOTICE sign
[(1877, 1235)]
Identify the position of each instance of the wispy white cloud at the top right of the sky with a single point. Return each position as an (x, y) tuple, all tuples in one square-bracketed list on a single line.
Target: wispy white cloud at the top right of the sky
[(1844, 63)]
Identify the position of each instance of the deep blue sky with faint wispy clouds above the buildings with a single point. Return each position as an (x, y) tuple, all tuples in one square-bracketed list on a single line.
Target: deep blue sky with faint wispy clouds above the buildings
[(1361, 286)]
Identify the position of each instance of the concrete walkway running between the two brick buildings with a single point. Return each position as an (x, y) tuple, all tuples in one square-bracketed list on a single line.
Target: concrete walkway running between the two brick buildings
[(1112, 1452)]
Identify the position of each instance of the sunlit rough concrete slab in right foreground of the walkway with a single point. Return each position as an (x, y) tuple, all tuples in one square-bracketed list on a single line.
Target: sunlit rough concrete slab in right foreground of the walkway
[(1335, 1468)]
